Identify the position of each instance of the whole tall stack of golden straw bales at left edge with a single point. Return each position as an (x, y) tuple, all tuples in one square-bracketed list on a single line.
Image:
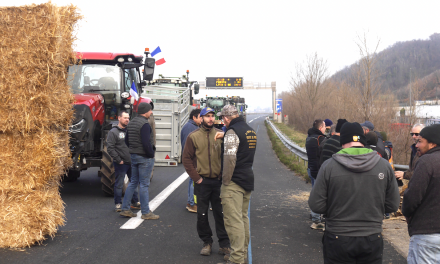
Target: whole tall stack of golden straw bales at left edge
[(35, 113)]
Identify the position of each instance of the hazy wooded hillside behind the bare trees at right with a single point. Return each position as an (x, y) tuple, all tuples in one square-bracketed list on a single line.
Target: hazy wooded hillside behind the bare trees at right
[(421, 57)]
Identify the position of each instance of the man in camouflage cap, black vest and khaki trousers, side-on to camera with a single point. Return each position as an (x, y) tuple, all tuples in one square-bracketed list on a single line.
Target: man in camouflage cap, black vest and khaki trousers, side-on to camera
[(240, 142)]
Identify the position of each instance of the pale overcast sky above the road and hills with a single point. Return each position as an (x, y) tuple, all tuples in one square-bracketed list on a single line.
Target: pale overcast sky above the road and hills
[(260, 41)]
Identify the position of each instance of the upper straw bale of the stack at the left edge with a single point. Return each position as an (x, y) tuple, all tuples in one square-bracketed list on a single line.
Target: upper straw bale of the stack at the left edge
[(35, 50)]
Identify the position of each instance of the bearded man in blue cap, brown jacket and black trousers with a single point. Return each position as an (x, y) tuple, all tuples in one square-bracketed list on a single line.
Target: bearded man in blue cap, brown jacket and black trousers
[(202, 159)]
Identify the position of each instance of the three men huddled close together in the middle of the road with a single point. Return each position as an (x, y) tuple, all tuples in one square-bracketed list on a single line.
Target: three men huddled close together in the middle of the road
[(219, 165)]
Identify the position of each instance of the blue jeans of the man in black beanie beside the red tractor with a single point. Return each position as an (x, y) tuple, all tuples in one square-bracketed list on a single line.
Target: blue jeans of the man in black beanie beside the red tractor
[(141, 169)]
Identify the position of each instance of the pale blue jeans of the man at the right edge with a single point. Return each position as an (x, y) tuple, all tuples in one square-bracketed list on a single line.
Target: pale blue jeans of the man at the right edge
[(424, 249)]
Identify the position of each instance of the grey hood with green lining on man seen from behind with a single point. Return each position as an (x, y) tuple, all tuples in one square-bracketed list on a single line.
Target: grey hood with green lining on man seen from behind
[(357, 159)]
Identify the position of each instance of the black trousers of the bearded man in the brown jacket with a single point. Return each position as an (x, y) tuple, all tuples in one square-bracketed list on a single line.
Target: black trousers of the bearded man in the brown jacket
[(209, 191)]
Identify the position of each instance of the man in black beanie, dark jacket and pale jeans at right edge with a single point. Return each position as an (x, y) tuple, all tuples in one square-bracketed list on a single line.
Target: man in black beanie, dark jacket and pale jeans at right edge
[(421, 200)]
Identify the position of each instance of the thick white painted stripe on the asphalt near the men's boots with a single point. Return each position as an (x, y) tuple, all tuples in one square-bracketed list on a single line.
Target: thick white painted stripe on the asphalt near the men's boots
[(134, 222)]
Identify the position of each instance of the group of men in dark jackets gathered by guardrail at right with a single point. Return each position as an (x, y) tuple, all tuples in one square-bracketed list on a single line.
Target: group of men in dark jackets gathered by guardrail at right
[(354, 186)]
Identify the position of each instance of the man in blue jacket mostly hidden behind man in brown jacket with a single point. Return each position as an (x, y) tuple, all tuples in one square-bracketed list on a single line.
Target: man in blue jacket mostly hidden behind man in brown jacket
[(193, 123)]
